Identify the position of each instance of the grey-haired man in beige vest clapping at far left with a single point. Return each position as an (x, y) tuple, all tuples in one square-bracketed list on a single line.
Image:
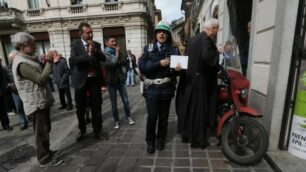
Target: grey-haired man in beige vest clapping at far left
[(32, 84)]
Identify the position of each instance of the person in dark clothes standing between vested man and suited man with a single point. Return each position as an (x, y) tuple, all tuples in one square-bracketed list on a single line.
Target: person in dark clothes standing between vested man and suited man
[(61, 74)]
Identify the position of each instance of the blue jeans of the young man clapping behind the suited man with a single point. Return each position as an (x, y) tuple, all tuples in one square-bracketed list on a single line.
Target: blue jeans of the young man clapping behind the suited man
[(112, 90)]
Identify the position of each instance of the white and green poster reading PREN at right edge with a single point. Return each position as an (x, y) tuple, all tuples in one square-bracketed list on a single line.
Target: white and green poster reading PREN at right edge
[(297, 142)]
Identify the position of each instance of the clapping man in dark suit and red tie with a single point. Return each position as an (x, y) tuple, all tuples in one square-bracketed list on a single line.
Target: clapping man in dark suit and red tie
[(86, 56)]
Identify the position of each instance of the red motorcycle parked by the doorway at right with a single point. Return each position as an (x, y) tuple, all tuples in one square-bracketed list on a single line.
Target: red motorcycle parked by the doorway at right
[(243, 139)]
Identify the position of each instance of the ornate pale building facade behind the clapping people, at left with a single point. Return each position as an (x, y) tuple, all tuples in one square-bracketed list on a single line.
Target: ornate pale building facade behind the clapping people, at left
[(54, 23)]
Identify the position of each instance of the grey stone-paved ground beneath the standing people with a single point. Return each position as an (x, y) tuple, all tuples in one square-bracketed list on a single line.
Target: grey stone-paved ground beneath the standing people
[(125, 151)]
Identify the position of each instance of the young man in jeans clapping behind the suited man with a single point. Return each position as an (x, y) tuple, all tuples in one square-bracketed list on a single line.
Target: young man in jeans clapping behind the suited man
[(115, 79)]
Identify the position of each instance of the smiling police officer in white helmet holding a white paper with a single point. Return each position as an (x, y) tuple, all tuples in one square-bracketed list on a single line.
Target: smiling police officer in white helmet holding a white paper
[(159, 84)]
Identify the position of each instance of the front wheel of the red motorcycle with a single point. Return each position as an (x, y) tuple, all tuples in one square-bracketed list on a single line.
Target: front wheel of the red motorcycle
[(244, 141)]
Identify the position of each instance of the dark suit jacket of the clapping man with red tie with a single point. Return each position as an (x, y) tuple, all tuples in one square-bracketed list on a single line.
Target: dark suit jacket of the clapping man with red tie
[(79, 63)]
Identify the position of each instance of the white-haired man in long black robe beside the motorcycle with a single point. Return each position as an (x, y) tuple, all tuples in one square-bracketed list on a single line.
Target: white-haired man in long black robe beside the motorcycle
[(196, 101)]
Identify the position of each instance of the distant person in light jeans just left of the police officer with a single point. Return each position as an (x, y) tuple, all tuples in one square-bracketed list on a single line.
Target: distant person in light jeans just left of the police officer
[(131, 68)]
